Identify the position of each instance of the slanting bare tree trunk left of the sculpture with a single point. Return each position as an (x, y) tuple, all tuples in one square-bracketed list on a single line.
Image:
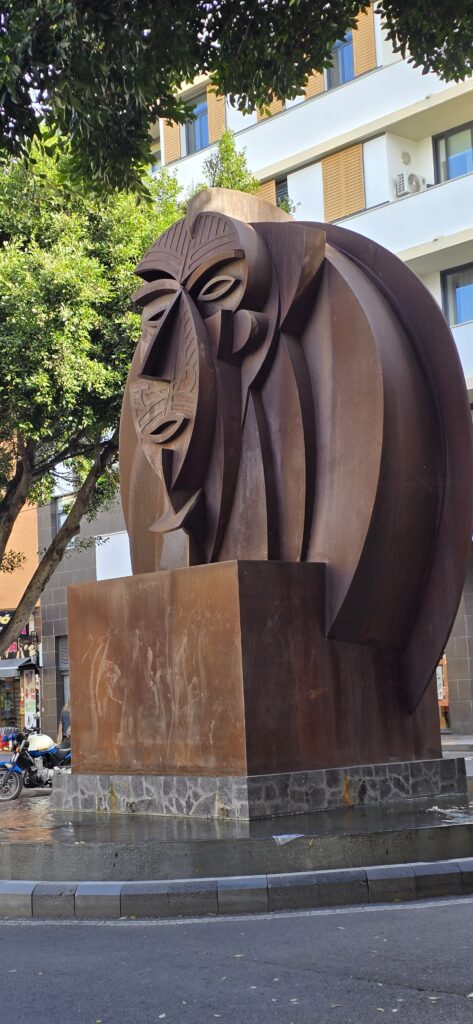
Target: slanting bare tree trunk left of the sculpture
[(57, 549)]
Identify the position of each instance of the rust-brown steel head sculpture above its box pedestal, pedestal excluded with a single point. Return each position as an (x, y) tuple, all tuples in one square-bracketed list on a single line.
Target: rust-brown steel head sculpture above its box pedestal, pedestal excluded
[(296, 396)]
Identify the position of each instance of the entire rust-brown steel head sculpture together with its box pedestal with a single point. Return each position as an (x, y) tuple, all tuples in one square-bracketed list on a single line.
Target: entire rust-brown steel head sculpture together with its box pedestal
[(296, 468)]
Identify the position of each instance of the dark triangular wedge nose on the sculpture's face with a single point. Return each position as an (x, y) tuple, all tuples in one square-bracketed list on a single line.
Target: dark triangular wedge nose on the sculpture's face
[(161, 359)]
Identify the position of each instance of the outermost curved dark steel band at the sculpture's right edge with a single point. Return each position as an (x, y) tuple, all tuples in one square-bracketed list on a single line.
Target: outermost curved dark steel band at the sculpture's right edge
[(437, 355)]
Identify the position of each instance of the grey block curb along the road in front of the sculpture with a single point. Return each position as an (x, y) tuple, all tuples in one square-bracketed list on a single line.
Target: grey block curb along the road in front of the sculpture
[(246, 894)]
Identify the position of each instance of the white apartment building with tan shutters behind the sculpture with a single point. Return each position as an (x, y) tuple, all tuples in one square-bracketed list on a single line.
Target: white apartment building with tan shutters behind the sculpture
[(375, 146)]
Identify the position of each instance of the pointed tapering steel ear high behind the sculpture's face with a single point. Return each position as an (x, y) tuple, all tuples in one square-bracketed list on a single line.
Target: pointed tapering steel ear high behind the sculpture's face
[(298, 252)]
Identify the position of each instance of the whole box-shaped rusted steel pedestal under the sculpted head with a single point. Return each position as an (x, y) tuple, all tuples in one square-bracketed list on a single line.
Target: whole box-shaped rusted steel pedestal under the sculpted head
[(225, 670)]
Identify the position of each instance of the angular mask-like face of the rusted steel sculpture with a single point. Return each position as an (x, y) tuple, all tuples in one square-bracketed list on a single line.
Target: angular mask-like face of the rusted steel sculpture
[(211, 310)]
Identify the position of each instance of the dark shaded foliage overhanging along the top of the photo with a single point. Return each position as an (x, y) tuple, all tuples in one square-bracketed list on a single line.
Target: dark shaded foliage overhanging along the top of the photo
[(101, 73)]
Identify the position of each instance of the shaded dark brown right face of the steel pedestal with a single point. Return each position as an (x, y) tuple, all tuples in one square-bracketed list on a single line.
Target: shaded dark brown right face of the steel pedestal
[(313, 703)]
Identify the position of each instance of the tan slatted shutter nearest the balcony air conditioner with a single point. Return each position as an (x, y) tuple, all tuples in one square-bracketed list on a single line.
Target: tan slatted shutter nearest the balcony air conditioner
[(343, 183)]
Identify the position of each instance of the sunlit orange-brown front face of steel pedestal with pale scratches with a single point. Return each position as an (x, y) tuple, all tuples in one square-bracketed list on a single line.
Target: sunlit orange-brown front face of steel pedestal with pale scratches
[(156, 673)]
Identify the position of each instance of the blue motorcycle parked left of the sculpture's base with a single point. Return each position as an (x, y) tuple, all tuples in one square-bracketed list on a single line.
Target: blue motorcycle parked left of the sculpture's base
[(34, 763)]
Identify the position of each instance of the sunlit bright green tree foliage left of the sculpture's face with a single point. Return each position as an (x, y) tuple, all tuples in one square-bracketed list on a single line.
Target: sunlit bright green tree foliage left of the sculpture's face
[(68, 331)]
